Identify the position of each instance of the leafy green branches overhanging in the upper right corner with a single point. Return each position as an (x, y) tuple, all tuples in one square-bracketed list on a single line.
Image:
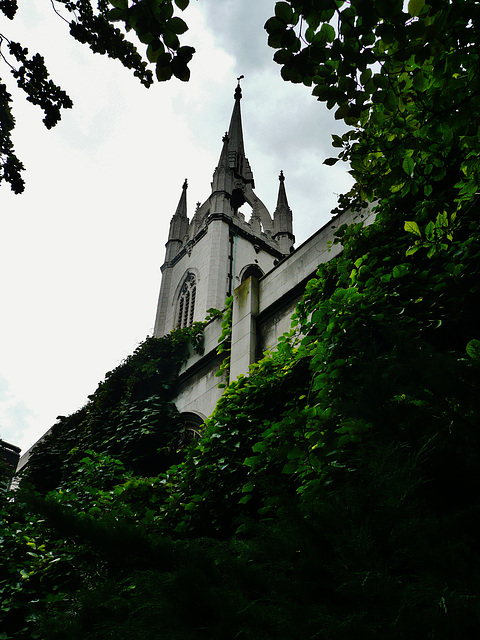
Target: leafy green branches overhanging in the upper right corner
[(405, 80)]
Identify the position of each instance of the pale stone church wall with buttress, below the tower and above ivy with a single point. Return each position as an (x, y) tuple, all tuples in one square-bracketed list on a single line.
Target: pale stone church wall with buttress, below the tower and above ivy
[(261, 313)]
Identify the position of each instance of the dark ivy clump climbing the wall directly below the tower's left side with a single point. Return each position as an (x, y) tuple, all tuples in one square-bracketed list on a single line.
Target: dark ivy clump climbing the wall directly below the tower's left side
[(130, 416)]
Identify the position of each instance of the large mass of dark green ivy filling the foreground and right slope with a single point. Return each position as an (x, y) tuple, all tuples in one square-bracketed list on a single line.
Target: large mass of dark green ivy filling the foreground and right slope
[(333, 492)]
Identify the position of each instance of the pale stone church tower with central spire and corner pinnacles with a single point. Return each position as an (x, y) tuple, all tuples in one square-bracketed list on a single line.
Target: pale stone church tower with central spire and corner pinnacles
[(208, 257)]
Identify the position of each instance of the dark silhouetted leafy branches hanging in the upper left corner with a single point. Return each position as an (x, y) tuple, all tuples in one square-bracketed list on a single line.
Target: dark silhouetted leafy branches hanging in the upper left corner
[(92, 23)]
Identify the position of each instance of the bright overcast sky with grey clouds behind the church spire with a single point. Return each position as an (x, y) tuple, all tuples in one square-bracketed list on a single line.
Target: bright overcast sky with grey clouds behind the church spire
[(80, 250)]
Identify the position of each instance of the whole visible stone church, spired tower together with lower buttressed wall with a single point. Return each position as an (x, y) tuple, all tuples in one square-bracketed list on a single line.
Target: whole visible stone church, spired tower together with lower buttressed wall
[(218, 253)]
